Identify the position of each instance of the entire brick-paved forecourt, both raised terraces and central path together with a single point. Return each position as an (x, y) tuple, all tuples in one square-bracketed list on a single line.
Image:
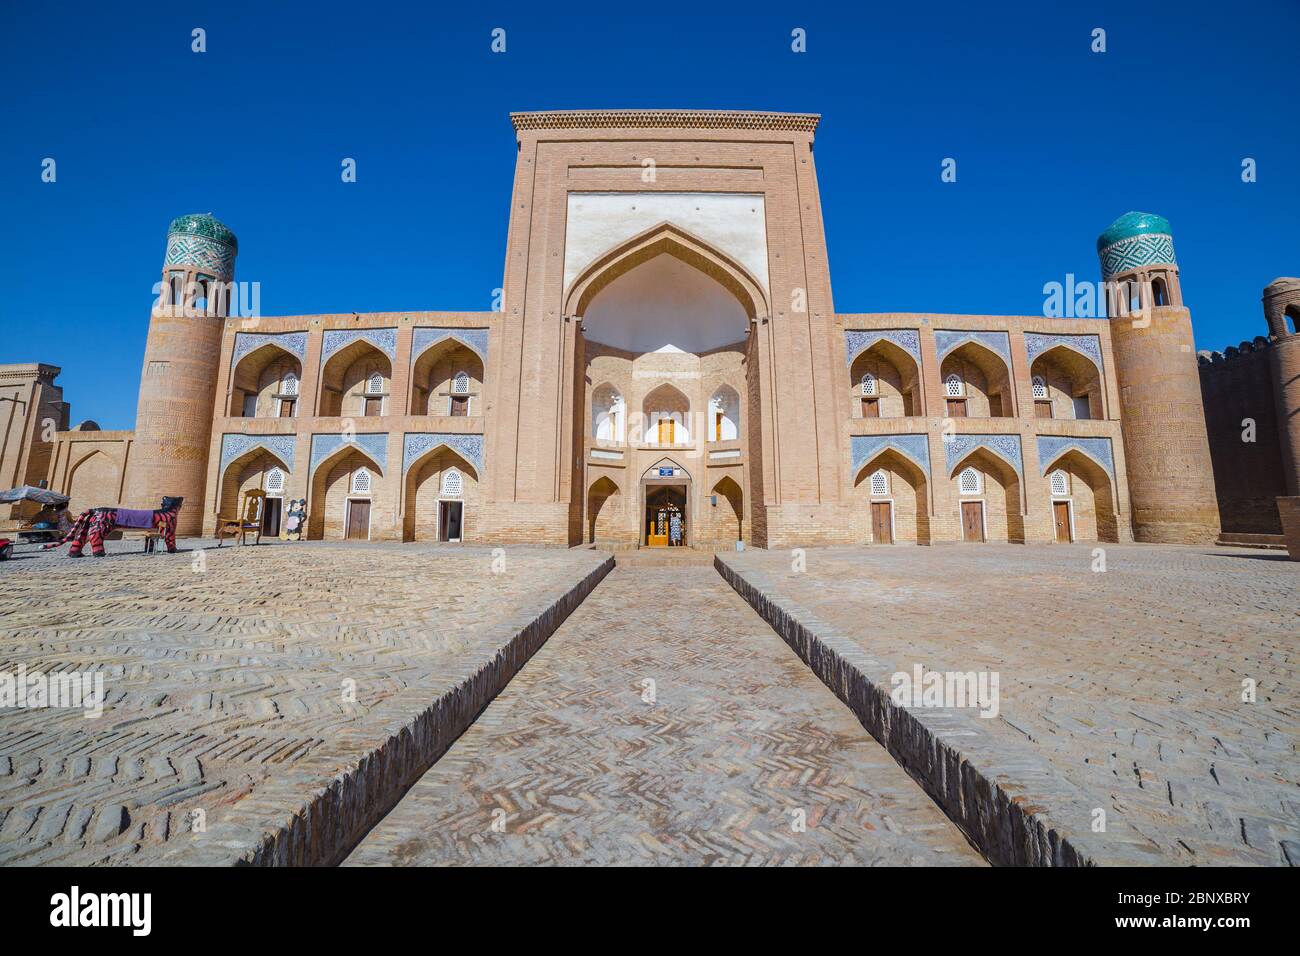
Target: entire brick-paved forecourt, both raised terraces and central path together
[(275, 704)]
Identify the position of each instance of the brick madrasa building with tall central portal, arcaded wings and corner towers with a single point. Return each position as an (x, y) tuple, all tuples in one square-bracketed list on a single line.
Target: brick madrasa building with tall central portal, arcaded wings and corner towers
[(668, 367)]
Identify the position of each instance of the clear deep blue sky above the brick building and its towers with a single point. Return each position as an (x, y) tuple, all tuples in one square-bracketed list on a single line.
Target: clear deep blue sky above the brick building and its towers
[(1052, 144)]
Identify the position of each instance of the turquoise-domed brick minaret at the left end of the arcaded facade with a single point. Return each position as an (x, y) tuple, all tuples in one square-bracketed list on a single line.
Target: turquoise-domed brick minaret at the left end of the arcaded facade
[(174, 419)]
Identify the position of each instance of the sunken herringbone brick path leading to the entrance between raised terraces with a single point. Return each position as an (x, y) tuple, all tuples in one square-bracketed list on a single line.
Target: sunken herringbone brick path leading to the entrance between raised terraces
[(573, 765)]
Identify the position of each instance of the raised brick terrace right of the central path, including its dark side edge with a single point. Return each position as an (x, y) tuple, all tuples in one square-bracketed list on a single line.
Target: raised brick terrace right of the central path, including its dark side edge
[(1120, 690)]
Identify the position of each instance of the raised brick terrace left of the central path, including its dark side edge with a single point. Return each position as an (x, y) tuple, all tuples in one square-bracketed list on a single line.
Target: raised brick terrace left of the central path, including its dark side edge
[(227, 691)]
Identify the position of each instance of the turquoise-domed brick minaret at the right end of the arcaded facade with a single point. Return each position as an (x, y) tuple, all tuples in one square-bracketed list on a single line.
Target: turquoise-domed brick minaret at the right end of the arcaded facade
[(1171, 477)]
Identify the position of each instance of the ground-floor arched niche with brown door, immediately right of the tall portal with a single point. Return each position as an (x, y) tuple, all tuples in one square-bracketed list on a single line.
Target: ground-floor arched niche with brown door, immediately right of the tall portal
[(891, 501)]
